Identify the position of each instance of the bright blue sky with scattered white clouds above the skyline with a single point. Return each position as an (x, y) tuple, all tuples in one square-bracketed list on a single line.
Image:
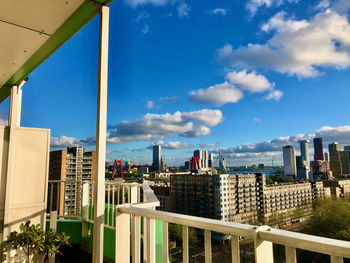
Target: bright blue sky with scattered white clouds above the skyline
[(240, 77)]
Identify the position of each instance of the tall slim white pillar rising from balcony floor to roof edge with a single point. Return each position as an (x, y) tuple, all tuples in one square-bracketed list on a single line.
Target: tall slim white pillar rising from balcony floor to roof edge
[(101, 129)]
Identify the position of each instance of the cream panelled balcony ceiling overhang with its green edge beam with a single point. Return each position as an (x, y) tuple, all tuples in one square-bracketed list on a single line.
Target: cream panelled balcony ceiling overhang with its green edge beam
[(32, 30)]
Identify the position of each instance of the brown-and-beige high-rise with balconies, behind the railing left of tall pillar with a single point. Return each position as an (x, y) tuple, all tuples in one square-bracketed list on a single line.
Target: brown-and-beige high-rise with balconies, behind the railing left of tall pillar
[(71, 165)]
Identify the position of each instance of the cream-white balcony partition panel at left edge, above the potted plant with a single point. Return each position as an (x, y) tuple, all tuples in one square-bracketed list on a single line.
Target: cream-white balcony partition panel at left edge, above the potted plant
[(26, 193)]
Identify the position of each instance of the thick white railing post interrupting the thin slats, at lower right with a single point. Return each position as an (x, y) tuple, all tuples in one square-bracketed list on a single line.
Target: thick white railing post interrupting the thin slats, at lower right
[(263, 249)]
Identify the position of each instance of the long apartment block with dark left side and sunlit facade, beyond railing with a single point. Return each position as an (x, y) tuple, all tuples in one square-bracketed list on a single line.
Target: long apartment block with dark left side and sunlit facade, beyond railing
[(241, 198)]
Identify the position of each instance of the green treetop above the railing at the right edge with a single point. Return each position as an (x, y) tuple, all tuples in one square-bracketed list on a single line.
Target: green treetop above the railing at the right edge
[(330, 218)]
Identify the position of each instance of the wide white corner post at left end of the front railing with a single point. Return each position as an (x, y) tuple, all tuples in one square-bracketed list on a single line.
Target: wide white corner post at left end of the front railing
[(122, 237)]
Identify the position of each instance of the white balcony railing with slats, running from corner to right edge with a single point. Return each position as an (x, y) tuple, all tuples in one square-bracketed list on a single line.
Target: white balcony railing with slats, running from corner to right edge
[(131, 204)]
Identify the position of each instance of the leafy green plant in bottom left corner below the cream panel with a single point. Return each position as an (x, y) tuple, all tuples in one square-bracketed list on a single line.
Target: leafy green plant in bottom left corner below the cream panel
[(35, 241)]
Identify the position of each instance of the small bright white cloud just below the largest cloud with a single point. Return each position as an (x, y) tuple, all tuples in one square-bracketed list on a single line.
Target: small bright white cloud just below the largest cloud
[(249, 81)]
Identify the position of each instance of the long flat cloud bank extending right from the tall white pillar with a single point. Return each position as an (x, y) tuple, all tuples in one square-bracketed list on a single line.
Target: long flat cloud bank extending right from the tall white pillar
[(157, 126)]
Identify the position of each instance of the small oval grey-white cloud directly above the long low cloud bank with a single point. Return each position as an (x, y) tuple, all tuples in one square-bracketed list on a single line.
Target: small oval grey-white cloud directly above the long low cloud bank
[(218, 94)]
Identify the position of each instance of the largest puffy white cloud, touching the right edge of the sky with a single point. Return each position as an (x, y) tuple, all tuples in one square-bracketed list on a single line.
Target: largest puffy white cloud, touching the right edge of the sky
[(298, 48)]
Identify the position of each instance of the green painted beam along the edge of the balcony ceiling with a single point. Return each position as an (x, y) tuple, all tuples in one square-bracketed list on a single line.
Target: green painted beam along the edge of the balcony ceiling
[(73, 24)]
